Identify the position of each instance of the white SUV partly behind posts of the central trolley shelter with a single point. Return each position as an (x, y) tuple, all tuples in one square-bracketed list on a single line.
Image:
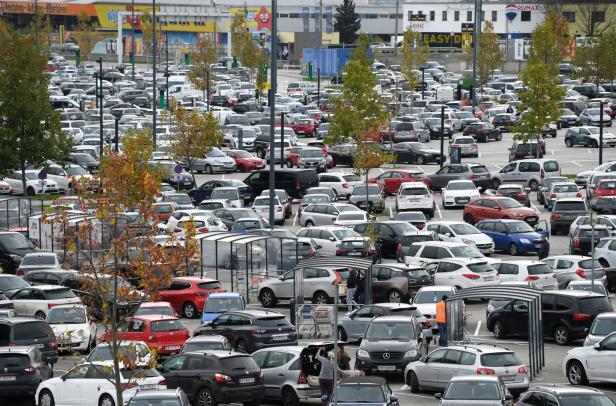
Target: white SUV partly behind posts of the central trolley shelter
[(319, 286)]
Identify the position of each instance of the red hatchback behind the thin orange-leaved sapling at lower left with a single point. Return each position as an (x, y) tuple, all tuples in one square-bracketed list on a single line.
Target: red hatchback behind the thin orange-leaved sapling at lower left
[(164, 334)]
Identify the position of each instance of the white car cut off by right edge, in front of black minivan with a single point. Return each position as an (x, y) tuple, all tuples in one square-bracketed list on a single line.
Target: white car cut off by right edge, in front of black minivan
[(592, 363)]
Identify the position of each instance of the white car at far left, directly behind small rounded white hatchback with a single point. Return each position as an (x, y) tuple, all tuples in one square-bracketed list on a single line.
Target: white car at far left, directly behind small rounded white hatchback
[(38, 300)]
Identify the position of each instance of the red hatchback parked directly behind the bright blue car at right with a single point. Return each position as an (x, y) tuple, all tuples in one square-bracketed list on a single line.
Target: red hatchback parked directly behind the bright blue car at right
[(498, 207)]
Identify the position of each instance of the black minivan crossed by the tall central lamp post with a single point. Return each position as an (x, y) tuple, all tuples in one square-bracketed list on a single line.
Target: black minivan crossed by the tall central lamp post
[(294, 181)]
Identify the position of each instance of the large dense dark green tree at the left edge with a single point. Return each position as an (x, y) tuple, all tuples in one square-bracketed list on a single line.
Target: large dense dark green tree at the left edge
[(30, 130)]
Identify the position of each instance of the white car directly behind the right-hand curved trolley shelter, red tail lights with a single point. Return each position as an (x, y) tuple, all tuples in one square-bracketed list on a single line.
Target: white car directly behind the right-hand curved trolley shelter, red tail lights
[(463, 273)]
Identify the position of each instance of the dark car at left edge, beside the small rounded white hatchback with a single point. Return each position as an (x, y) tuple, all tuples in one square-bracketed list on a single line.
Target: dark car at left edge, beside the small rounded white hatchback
[(25, 331)]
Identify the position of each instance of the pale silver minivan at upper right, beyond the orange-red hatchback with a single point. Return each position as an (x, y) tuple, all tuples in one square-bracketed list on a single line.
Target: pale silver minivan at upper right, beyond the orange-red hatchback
[(529, 172)]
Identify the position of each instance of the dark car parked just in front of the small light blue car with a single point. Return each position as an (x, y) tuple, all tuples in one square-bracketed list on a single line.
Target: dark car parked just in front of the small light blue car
[(251, 330)]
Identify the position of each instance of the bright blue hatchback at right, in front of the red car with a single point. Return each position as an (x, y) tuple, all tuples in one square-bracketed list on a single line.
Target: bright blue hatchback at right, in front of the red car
[(515, 237)]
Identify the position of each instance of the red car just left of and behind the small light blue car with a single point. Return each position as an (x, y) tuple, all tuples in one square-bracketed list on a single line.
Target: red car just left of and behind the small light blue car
[(187, 294)]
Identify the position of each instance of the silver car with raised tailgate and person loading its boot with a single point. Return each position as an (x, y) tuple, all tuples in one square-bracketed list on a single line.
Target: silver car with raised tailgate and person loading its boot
[(286, 374)]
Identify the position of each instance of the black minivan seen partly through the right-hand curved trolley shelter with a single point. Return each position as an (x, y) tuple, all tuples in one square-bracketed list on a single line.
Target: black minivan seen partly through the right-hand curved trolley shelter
[(566, 314)]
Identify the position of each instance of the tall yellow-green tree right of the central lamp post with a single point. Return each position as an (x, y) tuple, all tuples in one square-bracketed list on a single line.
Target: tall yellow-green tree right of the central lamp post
[(359, 115)]
